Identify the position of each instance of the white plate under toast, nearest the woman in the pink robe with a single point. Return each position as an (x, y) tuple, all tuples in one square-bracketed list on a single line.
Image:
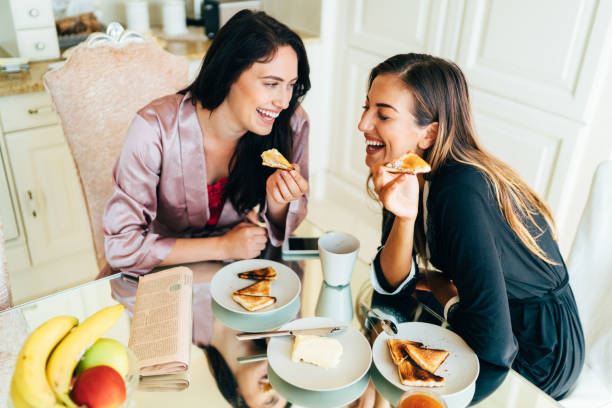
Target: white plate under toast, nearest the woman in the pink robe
[(286, 287)]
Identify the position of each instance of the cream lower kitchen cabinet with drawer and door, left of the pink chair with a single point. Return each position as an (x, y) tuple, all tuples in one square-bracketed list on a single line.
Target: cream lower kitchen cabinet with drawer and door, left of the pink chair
[(42, 193)]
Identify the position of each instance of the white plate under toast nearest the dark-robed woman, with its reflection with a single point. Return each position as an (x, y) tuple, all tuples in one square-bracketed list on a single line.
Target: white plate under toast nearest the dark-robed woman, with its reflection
[(460, 369)]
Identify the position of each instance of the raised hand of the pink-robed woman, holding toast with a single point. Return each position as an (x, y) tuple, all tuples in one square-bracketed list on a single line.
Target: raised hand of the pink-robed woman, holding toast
[(284, 186)]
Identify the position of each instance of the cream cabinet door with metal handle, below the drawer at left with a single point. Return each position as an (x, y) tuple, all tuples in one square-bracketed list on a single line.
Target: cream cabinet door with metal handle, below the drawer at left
[(49, 193)]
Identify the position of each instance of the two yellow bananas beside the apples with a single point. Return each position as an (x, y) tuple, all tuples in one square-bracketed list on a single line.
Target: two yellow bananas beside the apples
[(47, 359)]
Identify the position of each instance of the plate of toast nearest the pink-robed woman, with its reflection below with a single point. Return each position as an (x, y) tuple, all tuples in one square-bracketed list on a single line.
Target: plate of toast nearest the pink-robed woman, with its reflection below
[(286, 288)]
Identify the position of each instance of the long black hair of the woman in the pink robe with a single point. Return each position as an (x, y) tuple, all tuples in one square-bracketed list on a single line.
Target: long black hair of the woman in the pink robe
[(250, 37)]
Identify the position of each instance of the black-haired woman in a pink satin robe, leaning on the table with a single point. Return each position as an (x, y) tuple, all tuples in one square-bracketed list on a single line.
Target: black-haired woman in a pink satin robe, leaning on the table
[(190, 173)]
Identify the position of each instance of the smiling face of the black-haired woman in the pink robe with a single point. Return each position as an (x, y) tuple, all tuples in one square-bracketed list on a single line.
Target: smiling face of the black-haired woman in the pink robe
[(262, 91)]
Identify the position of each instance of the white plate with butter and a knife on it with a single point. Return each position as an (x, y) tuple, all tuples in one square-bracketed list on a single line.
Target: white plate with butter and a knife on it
[(354, 363)]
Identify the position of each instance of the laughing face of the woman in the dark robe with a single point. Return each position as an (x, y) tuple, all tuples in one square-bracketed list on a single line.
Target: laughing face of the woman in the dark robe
[(387, 122)]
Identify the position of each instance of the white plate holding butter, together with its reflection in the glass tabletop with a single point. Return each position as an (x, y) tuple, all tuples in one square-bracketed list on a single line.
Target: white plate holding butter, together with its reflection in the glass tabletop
[(312, 386)]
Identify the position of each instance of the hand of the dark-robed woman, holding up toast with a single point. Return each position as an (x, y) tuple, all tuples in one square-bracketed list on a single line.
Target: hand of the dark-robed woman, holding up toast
[(399, 193)]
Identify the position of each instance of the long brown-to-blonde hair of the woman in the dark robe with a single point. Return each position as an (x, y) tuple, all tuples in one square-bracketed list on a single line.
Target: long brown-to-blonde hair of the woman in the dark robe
[(440, 95)]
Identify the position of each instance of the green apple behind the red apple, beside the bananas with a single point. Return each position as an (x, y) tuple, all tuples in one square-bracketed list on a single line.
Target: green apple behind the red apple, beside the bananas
[(104, 352)]
